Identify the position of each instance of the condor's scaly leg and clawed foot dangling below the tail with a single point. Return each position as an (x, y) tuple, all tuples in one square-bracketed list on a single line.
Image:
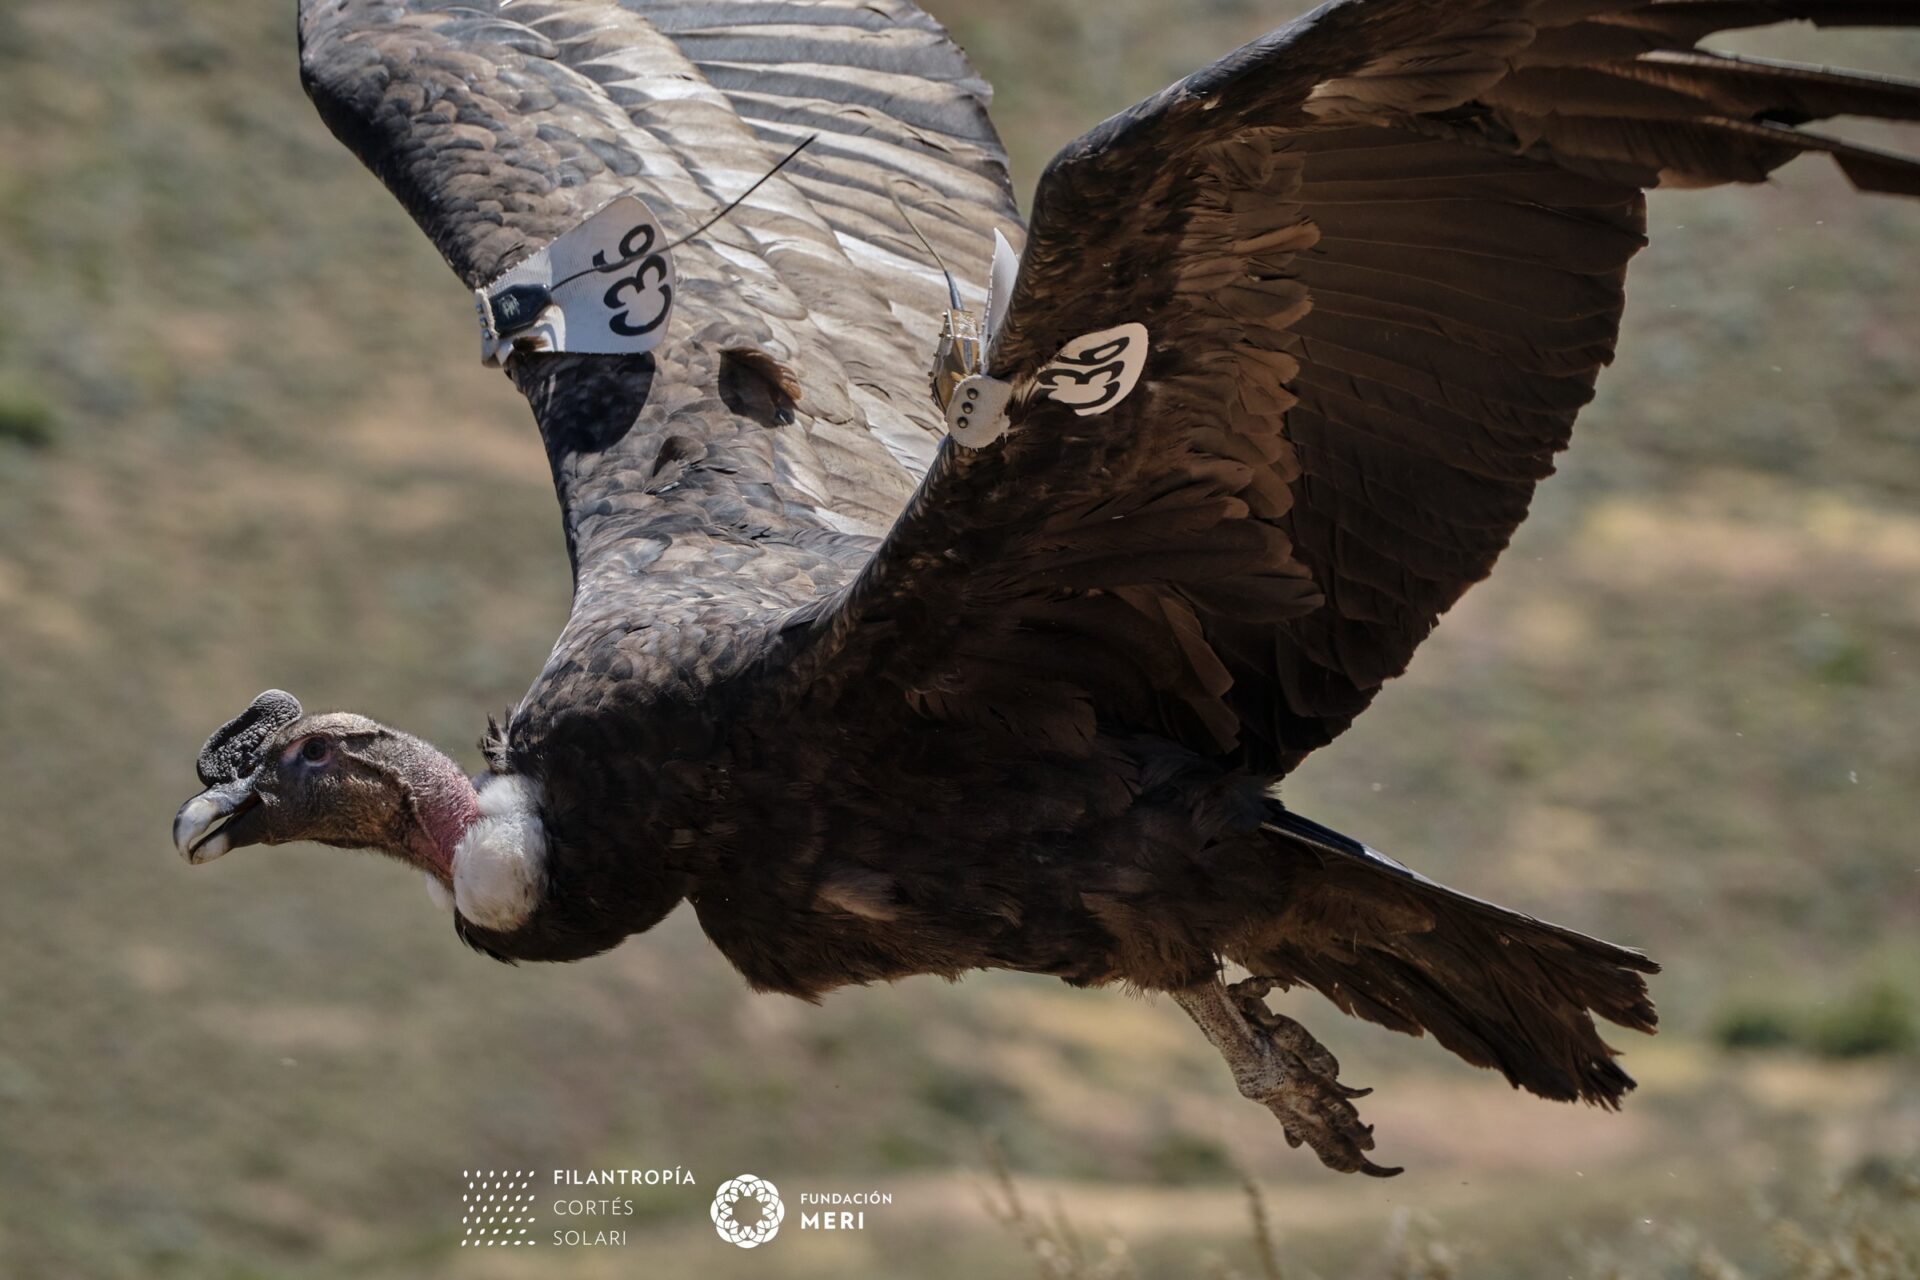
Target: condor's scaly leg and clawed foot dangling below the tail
[(1285, 1070)]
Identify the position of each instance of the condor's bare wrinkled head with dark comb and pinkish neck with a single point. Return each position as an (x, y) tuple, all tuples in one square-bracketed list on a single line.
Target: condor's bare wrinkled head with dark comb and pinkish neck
[(276, 776)]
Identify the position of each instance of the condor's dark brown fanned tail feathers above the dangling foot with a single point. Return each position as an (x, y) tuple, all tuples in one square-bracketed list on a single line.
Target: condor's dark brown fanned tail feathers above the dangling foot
[(1497, 987)]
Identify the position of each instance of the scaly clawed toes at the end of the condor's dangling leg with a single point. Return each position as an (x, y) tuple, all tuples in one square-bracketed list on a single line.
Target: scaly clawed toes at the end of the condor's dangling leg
[(1295, 1078)]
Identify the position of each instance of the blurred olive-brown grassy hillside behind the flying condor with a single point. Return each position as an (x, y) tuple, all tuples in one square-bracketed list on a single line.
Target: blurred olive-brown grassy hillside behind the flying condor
[(245, 442)]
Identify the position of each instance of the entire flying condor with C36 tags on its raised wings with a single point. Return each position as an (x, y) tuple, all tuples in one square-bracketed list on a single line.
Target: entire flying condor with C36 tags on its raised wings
[(890, 682)]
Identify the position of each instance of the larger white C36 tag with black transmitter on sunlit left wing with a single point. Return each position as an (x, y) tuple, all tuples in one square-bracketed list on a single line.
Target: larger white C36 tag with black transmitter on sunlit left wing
[(602, 289)]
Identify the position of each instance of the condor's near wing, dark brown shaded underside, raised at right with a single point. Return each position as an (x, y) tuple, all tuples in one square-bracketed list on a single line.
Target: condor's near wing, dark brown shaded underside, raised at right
[(1376, 266)]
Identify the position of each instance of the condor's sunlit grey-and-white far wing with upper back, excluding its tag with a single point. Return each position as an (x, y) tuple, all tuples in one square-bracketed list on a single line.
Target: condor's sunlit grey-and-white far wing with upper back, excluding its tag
[(748, 465)]
